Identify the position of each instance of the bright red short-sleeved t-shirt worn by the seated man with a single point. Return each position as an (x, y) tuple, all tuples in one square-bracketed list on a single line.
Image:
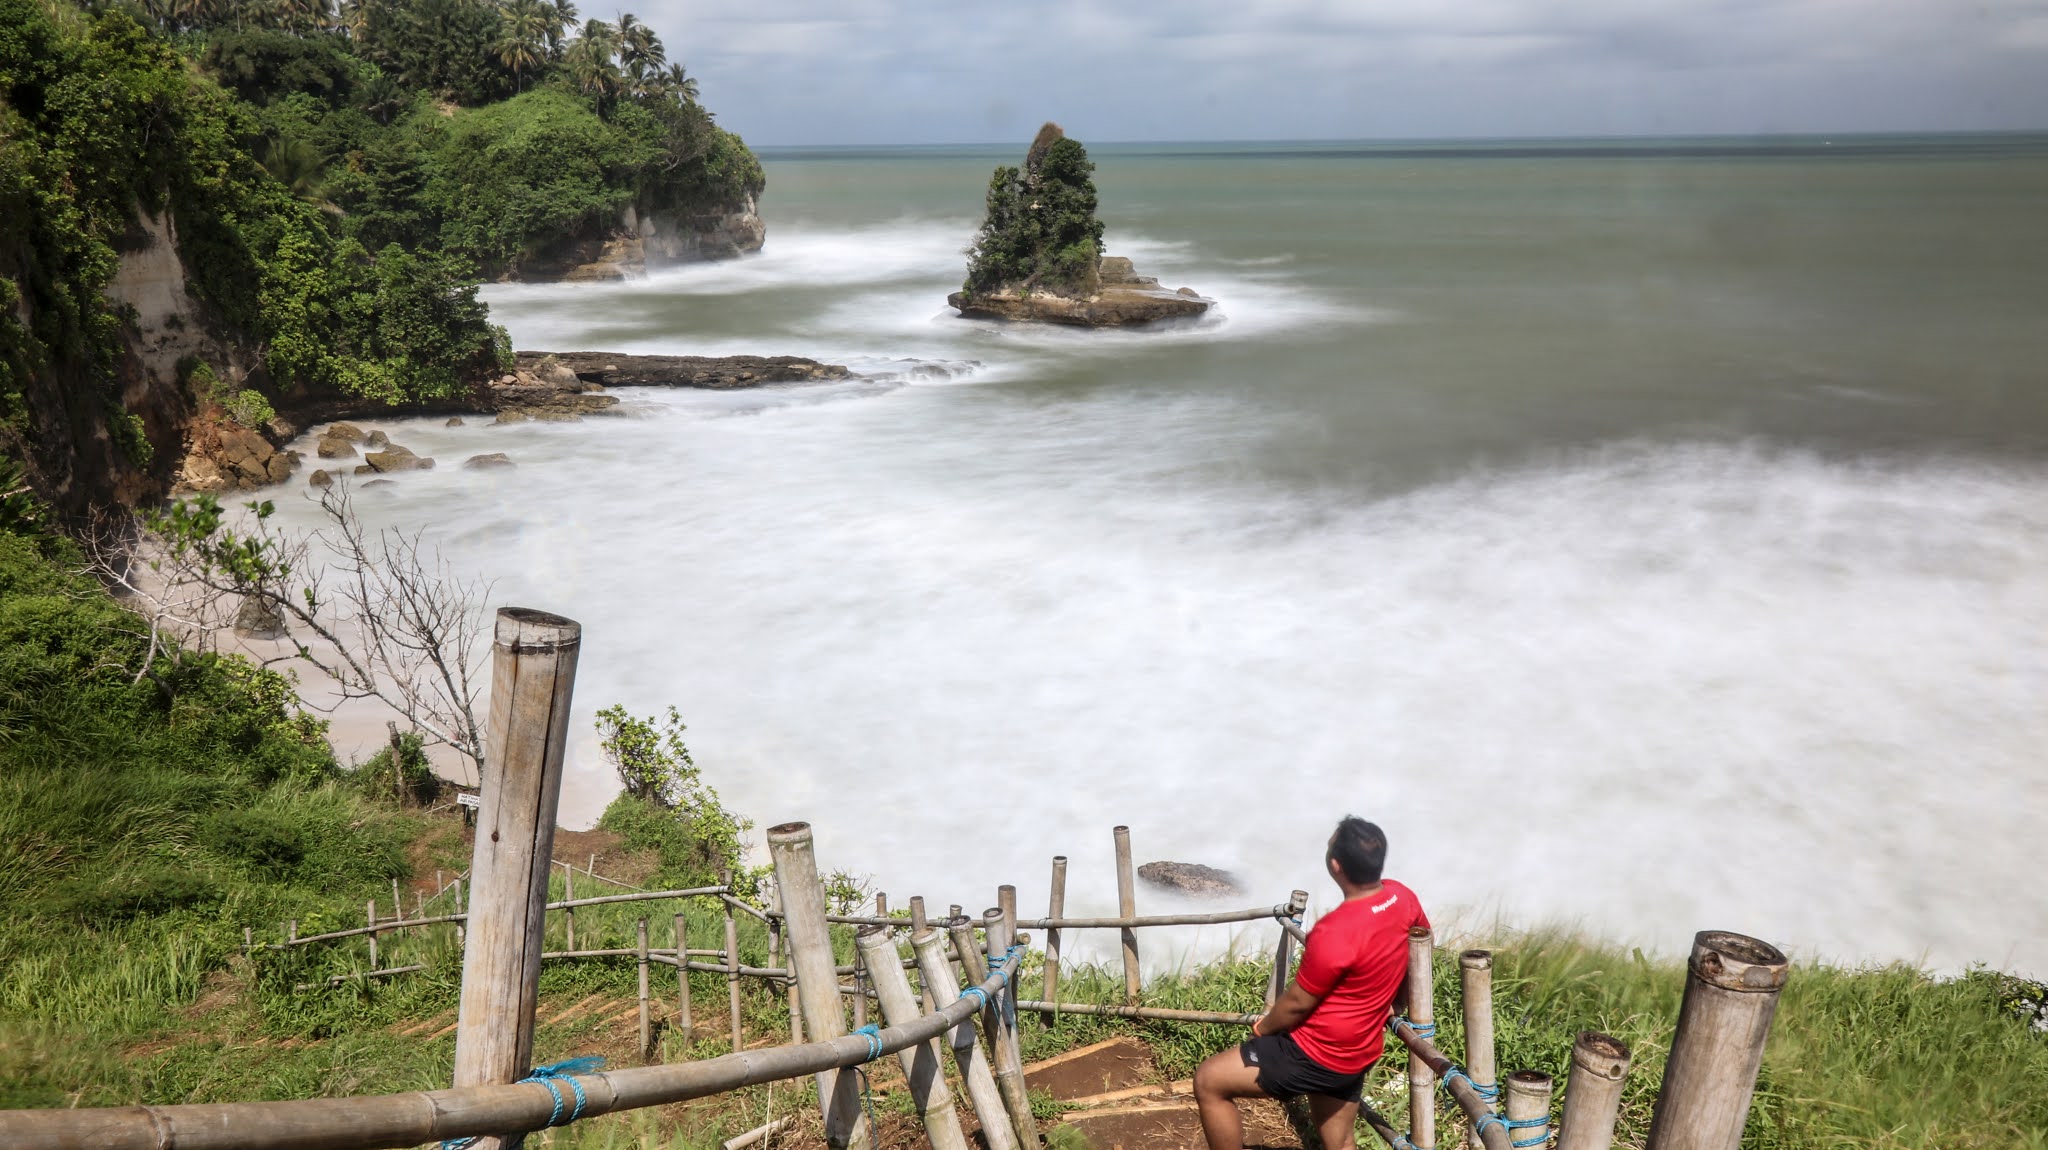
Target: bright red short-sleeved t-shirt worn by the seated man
[(1355, 963)]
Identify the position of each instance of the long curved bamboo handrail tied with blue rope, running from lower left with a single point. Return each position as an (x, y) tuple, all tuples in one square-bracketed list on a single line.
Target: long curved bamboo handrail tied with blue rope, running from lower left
[(433, 1116)]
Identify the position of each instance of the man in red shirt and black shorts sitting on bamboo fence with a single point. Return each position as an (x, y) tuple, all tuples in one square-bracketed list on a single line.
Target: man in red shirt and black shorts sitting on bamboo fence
[(1326, 1030)]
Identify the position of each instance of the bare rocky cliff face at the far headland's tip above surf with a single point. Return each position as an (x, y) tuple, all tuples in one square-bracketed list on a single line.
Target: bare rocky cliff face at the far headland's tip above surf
[(644, 242)]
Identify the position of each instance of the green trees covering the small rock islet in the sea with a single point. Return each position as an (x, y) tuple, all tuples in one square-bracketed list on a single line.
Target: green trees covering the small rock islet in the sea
[(1041, 230)]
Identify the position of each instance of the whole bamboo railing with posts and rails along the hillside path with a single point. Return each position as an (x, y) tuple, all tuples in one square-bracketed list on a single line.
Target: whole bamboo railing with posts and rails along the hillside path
[(1711, 1073)]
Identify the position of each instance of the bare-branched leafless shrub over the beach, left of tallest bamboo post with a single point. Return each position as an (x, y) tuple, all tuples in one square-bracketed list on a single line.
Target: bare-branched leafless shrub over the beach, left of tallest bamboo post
[(378, 613)]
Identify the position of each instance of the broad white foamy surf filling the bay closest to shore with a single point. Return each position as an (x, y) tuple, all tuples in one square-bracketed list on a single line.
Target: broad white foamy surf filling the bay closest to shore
[(1652, 680)]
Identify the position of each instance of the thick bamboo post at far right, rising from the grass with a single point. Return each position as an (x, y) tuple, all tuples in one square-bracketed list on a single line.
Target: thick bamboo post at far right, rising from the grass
[(1732, 993)]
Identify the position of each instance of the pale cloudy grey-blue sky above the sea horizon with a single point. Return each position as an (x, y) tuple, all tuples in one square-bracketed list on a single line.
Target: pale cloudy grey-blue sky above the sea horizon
[(978, 71)]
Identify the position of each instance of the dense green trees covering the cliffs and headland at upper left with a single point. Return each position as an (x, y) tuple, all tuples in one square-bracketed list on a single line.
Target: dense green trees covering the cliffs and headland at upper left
[(337, 183)]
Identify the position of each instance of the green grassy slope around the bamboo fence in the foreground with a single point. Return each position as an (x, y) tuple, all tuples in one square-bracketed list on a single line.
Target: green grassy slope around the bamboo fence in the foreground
[(144, 824)]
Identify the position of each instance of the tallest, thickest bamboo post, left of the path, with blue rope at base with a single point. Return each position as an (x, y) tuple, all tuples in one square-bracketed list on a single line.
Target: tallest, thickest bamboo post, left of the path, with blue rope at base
[(534, 678)]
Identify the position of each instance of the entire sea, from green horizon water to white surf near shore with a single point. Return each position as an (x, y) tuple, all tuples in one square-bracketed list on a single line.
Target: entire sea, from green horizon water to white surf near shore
[(1650, 535)]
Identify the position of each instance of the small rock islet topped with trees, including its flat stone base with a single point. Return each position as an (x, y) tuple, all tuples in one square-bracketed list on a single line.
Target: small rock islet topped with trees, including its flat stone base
[(1039, 251)]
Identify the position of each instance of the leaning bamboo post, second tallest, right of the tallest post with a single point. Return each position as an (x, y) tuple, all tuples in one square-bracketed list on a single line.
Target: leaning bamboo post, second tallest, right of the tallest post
[(818, 981)]
